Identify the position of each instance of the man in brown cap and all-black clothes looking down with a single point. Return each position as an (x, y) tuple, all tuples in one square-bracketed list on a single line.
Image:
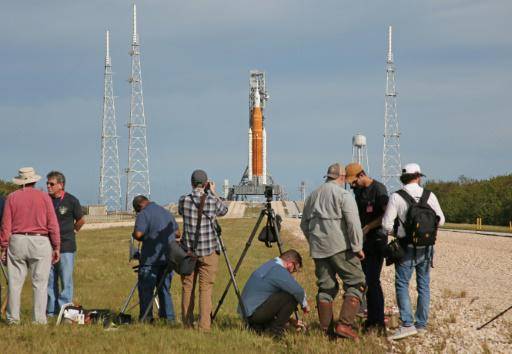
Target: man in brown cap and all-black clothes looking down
[(371, 198)]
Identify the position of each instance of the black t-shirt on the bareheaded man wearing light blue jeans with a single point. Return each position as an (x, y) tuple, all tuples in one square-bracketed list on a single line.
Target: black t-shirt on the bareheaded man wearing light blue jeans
[(68, 210)]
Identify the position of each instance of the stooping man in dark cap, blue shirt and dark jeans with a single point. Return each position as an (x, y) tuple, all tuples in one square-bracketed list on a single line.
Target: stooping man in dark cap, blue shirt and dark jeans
[(154, 227)]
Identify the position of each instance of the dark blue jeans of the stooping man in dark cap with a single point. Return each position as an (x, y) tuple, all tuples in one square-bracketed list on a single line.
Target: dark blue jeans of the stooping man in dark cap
[(149, 278)]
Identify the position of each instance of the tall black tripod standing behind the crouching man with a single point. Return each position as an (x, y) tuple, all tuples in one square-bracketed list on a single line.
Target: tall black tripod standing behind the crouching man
[(271, 227)]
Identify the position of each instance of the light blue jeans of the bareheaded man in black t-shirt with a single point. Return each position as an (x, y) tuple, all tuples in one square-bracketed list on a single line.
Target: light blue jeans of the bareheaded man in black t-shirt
[(63, 294)]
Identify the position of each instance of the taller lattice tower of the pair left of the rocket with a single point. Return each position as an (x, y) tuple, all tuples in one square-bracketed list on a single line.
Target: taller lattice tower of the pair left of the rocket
[(138, 166)]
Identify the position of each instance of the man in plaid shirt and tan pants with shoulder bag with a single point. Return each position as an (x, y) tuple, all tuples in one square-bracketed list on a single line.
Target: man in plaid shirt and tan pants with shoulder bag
[(207, 248)]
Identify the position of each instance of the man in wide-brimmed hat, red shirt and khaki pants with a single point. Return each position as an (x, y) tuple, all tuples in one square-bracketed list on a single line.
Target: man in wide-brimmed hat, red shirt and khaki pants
[(30, 240)]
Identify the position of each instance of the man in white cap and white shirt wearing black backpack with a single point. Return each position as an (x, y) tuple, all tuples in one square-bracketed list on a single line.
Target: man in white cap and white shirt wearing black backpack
[(417, 258)]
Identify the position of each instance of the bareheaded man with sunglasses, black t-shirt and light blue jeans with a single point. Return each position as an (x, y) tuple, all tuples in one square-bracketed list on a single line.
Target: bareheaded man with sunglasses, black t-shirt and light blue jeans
[(70, 216)]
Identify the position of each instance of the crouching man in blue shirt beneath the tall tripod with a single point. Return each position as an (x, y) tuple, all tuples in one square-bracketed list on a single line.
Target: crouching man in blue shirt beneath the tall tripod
[(271, 294)]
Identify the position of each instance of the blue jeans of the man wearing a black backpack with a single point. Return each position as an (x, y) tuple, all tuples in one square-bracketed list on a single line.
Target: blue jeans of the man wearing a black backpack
[(403, 273)]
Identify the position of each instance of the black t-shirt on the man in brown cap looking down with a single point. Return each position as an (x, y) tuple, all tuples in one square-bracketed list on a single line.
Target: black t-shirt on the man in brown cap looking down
[(371, 203)]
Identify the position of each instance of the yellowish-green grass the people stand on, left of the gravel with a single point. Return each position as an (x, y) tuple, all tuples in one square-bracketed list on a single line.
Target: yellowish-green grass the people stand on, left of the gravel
[(103, 279)]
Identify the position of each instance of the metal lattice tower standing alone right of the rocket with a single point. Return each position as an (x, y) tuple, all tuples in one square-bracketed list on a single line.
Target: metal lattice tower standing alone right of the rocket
[(391, 164)]
